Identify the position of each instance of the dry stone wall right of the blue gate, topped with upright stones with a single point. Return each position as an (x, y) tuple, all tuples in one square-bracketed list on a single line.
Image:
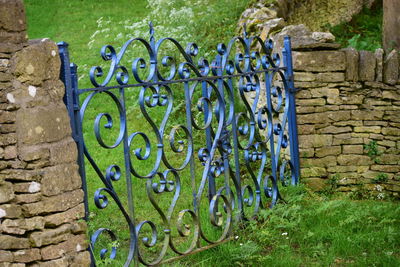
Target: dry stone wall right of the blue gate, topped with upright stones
[(348, 113)]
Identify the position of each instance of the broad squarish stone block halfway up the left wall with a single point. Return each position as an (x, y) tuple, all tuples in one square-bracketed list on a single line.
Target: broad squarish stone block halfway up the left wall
[(43, 124)]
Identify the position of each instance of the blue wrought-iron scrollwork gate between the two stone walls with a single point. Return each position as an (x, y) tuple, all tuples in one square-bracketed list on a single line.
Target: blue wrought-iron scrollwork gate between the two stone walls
[(212, 144)]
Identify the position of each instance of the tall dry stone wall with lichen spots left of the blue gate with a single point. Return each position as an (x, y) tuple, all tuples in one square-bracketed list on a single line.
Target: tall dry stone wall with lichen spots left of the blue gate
[(41, 201)]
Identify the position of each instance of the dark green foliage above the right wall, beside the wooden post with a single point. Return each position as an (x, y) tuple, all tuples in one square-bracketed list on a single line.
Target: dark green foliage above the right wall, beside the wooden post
[(363, 32)]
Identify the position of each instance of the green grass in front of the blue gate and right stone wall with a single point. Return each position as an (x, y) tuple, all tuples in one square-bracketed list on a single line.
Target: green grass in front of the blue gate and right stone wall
[(311, 230)]
